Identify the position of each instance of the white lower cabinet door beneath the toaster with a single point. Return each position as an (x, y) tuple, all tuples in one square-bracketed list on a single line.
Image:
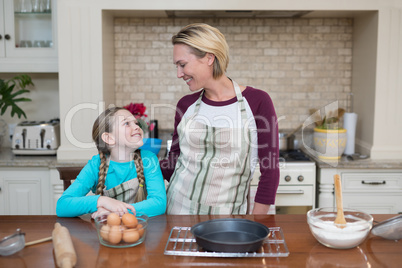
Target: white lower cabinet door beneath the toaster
[(24, 191)]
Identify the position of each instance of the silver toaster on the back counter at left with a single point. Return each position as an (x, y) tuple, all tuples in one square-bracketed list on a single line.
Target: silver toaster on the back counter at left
[(36, 138)]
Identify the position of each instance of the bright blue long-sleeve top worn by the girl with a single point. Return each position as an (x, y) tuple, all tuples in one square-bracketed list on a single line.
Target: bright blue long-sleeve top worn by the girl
[(75, 201)]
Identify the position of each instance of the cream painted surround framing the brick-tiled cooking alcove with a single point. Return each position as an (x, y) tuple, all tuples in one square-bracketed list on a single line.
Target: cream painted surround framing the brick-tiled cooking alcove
[(82, 74)]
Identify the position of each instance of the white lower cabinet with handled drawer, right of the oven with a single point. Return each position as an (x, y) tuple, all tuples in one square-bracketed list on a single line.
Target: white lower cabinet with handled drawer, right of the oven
[(375, 191)]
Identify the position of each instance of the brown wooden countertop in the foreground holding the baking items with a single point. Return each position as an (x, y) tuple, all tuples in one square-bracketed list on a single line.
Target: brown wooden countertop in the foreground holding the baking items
[(304, 250)]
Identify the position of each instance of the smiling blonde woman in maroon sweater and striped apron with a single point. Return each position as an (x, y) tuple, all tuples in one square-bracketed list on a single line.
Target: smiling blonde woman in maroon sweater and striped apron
[(220, 134)]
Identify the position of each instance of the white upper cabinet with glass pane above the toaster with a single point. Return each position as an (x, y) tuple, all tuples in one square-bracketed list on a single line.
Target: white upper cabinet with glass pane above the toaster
[(28, 36)]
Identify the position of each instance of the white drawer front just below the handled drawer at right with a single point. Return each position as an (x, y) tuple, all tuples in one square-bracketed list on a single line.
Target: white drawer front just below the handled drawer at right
[(374, 203)]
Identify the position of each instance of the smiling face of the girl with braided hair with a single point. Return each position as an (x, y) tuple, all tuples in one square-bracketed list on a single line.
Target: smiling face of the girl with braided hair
[(126, 132)]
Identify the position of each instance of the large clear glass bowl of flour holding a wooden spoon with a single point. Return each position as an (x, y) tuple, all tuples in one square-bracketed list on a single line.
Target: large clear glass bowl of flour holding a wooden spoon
[(323, 228)]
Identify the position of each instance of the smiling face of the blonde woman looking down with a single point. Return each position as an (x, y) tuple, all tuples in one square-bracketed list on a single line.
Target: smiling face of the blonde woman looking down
[(196, 72)]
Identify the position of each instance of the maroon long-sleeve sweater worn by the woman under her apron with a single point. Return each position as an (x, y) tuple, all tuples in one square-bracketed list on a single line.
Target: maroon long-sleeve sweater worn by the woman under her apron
[(267, 133)]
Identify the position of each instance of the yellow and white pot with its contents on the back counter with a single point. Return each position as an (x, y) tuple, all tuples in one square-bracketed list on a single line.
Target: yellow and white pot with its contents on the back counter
[(329, 138)]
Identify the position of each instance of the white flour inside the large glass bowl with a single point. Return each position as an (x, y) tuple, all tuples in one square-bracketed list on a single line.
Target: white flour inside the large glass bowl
[(328, 234)]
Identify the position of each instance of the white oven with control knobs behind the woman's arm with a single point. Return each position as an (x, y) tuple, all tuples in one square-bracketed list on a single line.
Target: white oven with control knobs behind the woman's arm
[(297, 184)]
